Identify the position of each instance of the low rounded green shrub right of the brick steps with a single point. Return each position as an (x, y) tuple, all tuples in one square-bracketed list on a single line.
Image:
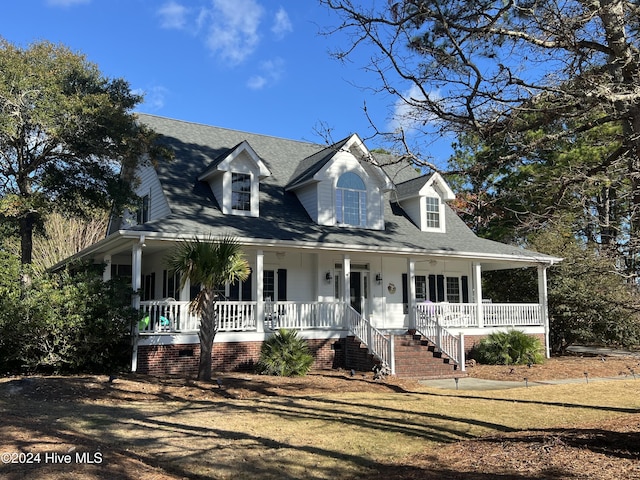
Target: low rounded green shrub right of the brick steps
[(513, 347)]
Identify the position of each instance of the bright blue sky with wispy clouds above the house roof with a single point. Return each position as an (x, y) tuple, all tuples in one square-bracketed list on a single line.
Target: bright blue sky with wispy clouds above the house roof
[(254, 65)]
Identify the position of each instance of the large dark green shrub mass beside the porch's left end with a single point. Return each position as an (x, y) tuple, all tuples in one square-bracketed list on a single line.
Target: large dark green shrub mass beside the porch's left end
[(64, 322)]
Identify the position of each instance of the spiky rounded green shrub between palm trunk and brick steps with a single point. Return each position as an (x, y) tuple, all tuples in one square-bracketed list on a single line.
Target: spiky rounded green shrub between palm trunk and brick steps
[(285, 354)]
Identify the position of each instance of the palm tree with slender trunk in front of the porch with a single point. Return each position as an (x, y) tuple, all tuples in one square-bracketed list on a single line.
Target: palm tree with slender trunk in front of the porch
[(211, 264)]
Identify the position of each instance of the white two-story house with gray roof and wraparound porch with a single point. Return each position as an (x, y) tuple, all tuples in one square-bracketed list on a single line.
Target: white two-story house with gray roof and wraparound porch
[(367, 261)]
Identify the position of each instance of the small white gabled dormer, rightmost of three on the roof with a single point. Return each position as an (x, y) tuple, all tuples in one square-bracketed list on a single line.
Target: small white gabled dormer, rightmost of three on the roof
[(423, 199)]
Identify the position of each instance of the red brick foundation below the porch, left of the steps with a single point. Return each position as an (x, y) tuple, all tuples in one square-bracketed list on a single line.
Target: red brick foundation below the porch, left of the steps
[(182, 360)]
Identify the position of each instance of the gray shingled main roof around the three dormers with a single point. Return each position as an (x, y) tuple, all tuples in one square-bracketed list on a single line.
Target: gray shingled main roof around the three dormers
[(282, 217)]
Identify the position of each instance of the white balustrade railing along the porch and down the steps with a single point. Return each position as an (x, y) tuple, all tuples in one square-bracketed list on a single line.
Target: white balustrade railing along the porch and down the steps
[(444, 324)]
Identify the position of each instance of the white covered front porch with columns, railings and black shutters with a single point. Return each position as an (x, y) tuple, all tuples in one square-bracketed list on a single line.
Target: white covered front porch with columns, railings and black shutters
[(326, 292)]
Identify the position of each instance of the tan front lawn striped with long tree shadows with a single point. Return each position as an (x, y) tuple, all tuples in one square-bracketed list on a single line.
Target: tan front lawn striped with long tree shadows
[(325, 425)]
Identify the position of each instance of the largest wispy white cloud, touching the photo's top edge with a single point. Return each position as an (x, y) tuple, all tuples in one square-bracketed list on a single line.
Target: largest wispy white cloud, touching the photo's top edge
[(233, 33)]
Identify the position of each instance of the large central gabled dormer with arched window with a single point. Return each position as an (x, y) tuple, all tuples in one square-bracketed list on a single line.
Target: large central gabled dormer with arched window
[(342, 185)]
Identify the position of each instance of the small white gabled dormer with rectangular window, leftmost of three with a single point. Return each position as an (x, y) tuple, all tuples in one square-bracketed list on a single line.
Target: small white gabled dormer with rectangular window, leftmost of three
[(234, 178)]
